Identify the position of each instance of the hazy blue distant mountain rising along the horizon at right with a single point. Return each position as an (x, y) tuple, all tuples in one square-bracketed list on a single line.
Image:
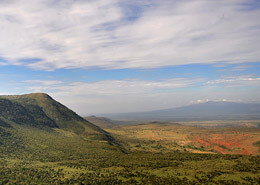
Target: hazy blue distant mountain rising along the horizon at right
[(202, 111)]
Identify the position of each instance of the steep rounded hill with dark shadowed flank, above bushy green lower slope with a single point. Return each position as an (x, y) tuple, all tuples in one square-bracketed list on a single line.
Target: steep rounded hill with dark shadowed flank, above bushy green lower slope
[(39, 109)]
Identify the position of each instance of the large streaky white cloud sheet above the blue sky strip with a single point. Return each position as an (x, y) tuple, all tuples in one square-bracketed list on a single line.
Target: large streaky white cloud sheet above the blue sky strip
[(76, 34)]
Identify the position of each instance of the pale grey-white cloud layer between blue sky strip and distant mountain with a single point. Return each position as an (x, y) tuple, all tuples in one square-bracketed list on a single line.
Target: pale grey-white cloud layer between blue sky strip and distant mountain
[(136, 95)]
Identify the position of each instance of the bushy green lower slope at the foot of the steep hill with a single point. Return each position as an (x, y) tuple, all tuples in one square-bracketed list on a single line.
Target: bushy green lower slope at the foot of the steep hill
[(48, 145)]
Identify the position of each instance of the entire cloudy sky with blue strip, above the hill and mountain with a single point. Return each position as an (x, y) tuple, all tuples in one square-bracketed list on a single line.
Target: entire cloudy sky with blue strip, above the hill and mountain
[(112, 56)]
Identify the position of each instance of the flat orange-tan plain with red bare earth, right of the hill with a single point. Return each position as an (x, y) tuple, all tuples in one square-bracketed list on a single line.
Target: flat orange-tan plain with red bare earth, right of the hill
[(165, 137)]
